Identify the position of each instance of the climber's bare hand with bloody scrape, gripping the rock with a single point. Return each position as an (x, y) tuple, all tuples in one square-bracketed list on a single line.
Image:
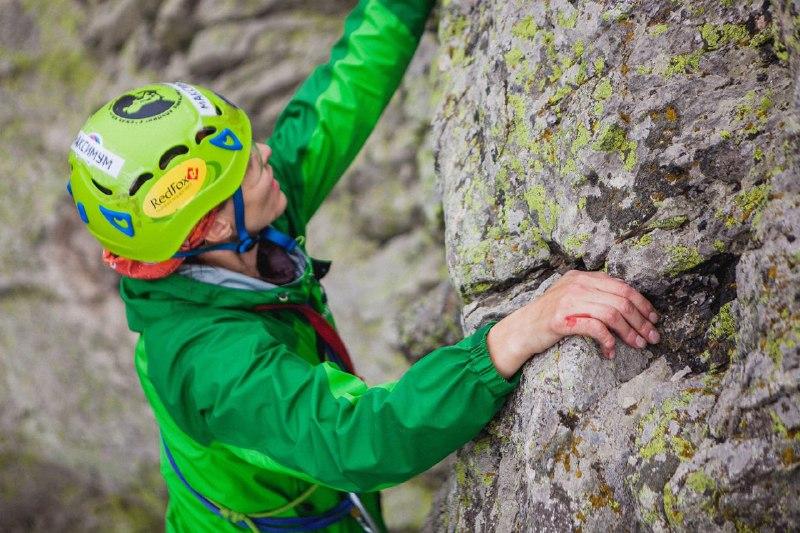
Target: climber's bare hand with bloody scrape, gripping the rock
[(579, 303)]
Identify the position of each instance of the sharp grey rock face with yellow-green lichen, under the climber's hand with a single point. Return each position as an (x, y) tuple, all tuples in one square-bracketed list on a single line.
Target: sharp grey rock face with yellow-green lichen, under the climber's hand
[(657, 141)]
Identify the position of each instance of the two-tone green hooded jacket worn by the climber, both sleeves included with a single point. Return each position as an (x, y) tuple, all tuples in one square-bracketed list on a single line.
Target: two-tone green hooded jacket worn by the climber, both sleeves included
[(251, 416)]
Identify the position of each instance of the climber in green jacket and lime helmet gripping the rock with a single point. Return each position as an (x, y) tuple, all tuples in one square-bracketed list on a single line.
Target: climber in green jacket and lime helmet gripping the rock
[(264, 424)]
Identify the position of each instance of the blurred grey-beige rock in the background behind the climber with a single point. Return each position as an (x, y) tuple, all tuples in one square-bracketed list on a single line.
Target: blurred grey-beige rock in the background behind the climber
[(78, 446)]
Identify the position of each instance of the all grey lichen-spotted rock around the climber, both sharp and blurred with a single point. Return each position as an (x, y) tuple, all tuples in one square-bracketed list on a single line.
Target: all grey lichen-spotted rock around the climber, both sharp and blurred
[(656, 140)]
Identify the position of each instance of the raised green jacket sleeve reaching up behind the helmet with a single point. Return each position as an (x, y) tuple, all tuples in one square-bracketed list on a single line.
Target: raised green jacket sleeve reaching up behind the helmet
[(330, 117)]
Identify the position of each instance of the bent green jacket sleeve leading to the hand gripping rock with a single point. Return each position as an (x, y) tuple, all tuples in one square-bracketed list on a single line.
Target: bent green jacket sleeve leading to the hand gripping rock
[(326, 426)]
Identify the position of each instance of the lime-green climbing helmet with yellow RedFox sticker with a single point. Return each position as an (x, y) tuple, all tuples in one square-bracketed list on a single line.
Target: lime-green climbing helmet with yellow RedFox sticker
[(148, 165)]
